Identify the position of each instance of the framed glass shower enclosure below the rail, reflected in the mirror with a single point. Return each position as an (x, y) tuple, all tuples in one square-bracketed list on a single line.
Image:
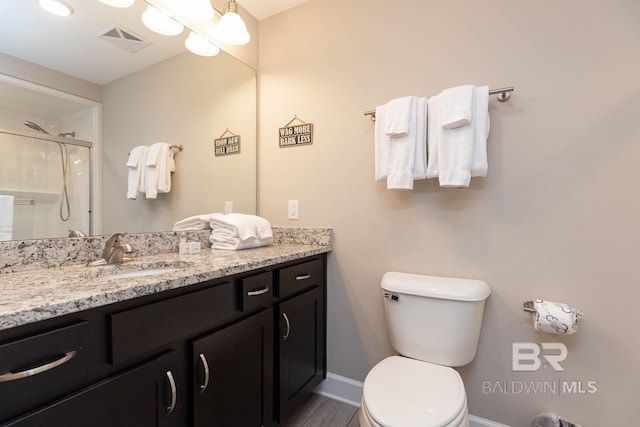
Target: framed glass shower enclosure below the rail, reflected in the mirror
[(50, 179)]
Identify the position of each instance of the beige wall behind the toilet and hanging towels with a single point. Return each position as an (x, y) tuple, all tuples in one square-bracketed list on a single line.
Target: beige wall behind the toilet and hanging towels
[(556, 218)]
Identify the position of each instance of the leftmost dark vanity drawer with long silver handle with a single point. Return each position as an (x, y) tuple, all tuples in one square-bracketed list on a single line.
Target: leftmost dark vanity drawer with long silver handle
[(36, 369)]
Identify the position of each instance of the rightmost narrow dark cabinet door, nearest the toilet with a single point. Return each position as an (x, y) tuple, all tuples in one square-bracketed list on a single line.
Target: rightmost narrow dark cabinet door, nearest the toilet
[(301, 348)]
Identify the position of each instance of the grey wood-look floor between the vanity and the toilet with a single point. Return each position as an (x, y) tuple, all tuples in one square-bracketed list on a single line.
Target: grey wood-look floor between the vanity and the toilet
[(320, 411)]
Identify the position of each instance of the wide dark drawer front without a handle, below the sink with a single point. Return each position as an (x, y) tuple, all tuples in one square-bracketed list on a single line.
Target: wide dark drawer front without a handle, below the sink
[(144, 329)]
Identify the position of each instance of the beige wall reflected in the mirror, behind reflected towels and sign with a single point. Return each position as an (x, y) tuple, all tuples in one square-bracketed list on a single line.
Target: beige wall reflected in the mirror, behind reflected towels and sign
[(185, 100)]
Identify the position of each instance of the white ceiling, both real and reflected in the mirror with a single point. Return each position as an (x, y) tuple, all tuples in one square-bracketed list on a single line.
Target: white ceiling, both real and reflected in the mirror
[(70, 45)]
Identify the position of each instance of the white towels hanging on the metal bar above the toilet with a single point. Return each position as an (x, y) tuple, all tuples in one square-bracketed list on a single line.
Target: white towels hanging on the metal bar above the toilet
[(450, 129)]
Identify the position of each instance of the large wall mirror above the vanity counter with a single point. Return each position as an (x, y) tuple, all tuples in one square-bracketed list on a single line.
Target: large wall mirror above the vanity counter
[(169, 95)]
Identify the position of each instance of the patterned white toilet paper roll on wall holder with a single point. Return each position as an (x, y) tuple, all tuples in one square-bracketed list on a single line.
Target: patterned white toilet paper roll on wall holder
[(555, 317)]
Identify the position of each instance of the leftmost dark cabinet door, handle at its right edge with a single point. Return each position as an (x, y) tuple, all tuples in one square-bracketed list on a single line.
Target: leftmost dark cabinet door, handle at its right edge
[(141, 397)]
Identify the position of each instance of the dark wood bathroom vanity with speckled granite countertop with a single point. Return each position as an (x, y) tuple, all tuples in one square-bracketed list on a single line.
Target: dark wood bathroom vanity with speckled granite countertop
[(228, 339)]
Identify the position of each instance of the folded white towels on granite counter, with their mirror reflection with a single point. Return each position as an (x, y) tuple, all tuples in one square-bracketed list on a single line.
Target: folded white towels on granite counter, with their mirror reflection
[(232, 231)]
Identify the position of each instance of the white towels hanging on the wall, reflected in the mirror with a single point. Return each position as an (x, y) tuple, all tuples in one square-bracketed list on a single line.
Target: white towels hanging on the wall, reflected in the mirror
[(149, 170)]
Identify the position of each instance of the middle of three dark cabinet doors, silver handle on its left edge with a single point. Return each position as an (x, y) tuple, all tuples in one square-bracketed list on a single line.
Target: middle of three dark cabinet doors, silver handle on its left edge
[(233, 371)]
